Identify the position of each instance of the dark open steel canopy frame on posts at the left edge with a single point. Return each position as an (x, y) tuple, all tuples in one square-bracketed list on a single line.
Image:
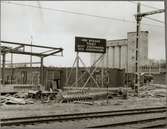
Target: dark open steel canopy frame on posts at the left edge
[(51, 51)]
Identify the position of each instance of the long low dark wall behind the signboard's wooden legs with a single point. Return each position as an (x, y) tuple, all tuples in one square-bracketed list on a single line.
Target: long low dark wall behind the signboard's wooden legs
[(58, 76)]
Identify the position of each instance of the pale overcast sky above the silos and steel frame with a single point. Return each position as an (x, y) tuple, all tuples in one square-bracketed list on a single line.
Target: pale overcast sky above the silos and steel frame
[(56, 23)]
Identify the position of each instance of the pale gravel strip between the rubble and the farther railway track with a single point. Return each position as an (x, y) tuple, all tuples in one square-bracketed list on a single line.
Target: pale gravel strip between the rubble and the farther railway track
[(55, 108)]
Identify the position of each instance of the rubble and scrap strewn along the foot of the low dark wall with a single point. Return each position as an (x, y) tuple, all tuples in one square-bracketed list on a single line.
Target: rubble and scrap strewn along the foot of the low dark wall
[(59, 96)]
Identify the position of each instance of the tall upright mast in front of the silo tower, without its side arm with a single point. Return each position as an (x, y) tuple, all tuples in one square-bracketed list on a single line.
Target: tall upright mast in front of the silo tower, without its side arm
[(138, 20)]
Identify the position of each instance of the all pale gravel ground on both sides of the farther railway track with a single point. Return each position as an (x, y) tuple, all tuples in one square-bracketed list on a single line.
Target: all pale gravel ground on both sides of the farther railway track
[(38, 108)]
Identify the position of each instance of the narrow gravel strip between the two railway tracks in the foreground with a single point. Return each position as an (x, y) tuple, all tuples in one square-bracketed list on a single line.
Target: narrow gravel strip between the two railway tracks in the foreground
[(81, 124)]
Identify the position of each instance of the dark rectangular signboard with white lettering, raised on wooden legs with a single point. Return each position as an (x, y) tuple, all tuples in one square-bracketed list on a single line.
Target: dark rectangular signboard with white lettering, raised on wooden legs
[(93, 45)]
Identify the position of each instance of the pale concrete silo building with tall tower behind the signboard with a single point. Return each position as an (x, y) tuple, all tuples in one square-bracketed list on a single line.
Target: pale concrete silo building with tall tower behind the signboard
[(121, 53)]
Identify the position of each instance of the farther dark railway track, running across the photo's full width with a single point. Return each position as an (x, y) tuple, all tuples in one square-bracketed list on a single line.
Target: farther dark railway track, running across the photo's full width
[(78, 116)]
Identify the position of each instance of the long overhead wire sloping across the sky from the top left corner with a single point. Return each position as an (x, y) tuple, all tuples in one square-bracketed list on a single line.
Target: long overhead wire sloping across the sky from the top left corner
[(82, 14)]
